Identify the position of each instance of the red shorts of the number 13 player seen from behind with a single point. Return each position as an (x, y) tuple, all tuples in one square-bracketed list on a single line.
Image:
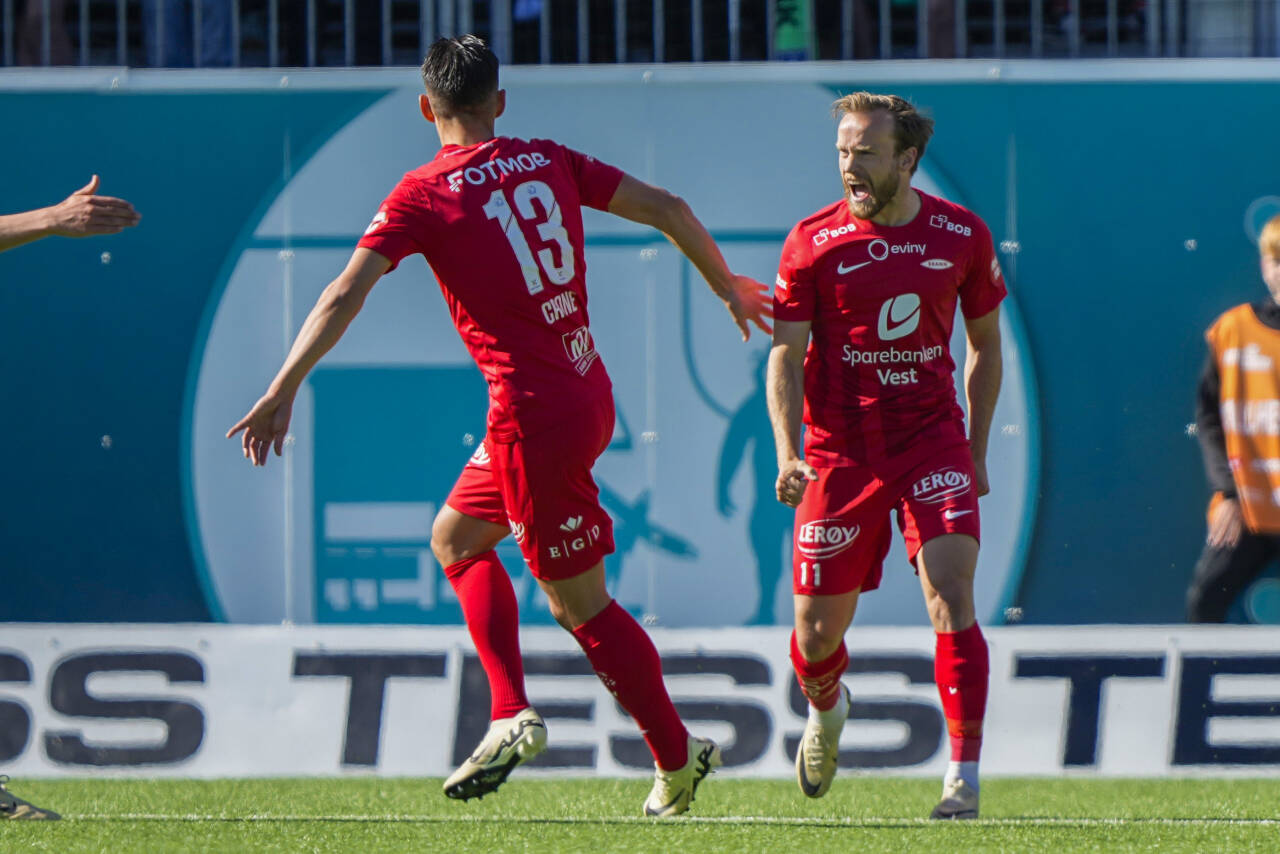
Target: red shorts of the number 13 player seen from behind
[(542, 487)]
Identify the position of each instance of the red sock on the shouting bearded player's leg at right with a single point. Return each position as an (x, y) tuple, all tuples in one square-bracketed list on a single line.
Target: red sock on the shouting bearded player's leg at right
[(961, 669)]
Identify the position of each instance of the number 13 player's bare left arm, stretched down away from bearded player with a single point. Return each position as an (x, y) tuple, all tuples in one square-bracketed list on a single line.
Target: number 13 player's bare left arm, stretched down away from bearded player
[(268, 423)]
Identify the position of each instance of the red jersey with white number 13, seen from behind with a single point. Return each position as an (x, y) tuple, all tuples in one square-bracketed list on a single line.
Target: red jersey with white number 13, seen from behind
[(501, 225)]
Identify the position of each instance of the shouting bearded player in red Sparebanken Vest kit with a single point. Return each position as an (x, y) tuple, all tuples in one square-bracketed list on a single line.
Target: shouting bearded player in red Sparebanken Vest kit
[(865, 307)]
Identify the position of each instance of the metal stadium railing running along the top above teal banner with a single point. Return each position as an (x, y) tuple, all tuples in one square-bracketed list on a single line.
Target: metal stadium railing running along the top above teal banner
[(394, 33)]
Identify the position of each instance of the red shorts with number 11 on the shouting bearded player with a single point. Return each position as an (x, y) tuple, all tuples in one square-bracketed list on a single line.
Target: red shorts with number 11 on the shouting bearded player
[(843, 524)]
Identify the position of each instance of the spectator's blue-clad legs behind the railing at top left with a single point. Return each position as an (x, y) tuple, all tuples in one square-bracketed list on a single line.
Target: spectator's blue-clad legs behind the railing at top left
[(170, 26)]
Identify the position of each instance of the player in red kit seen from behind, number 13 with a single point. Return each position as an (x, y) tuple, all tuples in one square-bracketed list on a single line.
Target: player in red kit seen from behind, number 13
[(500, 222)]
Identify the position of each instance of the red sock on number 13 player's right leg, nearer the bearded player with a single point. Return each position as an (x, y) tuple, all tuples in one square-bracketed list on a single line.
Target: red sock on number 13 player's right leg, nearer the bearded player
[(627, 661)]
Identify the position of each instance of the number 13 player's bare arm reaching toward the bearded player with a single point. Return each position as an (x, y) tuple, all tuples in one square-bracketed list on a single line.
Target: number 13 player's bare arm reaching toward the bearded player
[(748, 300)]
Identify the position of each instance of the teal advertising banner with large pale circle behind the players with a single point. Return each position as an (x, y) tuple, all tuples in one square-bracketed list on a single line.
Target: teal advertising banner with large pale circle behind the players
[(1123, 199)]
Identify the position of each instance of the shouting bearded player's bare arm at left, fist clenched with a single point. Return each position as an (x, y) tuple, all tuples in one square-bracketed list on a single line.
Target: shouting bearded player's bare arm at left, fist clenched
[(785, 394)]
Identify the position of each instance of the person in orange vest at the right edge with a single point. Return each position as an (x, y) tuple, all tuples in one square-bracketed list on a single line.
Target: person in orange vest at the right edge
[(1238, 421)]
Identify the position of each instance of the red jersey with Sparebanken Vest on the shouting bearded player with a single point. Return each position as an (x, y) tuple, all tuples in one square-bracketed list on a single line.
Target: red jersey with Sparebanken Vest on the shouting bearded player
[(880, 378)]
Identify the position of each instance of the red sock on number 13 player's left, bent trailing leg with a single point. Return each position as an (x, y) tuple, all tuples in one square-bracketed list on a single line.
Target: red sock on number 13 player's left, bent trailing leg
[(493, 619)]
